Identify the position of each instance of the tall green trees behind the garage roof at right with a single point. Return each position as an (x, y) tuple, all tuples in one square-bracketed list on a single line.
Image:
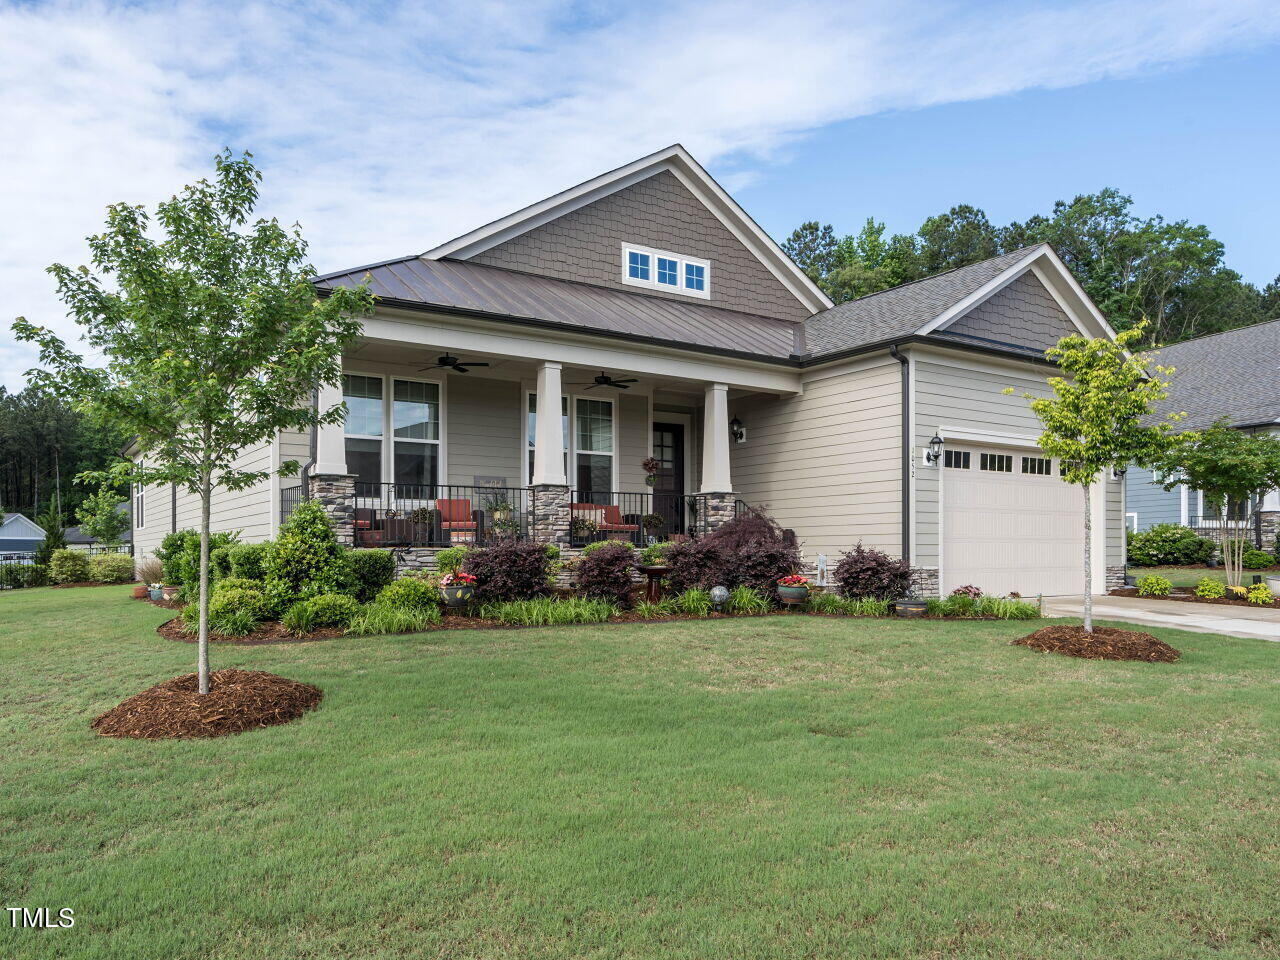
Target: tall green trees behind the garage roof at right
[(1169, 273)]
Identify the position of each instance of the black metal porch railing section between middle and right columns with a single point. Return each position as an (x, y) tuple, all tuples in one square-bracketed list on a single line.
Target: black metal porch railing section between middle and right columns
[(638, 518)]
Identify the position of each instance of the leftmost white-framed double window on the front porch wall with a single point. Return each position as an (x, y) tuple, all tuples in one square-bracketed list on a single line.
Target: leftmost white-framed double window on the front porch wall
[(392, 431)]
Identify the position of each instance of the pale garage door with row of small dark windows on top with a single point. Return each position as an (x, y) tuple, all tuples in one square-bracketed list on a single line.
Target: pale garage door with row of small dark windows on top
[(1011, 524)]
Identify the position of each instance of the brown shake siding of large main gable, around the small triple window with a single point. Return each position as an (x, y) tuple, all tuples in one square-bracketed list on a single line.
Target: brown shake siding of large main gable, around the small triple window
[(660, 212)]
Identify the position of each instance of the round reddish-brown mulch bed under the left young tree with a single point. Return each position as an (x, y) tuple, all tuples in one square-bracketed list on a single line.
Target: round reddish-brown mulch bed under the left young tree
[(237, 701)]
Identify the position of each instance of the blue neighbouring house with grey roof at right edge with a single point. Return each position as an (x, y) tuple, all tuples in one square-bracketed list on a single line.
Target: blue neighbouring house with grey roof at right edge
[(1233, 377)]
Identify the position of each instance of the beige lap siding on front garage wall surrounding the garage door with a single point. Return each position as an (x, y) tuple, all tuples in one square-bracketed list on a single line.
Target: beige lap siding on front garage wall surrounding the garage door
[(967, 394)]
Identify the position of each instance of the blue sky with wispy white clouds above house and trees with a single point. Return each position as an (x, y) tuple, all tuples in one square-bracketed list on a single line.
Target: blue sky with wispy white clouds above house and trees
[(388, 129)]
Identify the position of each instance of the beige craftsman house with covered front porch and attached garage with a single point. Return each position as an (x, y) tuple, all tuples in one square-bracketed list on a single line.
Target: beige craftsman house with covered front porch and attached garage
[(514, 382)]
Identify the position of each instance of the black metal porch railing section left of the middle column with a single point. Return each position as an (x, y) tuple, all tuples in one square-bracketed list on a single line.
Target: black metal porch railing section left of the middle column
[(440, 515)]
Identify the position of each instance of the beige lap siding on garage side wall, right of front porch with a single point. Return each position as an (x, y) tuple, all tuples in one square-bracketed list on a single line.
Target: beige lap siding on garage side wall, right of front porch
[(828, 463)]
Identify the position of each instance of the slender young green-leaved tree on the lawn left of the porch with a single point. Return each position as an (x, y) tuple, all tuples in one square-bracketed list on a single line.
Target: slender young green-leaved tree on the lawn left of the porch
[(214, 341)]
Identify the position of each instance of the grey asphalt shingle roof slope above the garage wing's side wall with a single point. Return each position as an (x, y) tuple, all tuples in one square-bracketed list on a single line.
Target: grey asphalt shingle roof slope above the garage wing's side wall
[(900, 312)]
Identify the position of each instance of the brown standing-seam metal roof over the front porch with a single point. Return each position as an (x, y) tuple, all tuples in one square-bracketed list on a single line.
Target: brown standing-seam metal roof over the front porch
[(490, 290)]
